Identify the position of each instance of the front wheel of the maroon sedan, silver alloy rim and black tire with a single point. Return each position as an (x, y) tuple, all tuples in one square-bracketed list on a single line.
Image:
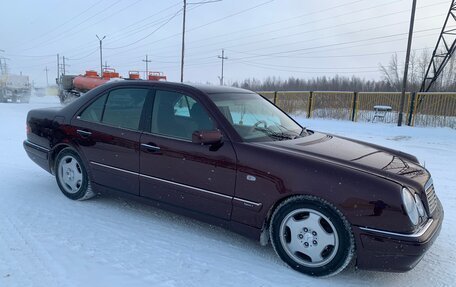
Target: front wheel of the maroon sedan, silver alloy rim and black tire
[(312, 236)]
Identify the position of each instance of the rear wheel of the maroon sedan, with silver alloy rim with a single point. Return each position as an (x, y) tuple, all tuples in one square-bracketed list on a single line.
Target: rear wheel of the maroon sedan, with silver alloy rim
[(71, 175)]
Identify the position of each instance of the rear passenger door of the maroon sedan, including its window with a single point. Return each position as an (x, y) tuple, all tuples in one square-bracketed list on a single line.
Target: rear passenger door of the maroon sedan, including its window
[(108, 134)]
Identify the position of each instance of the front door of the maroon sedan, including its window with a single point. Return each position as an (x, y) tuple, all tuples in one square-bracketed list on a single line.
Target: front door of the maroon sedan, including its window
[(175, 170)]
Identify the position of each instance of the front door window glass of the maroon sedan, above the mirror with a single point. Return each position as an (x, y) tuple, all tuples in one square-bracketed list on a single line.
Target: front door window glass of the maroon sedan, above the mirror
[(178, 115)]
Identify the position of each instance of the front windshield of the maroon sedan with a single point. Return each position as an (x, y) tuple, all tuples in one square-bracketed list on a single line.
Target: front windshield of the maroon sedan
[(255, 118)]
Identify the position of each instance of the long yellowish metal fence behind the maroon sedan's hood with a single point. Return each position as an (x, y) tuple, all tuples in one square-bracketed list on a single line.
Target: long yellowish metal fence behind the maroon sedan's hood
[(436, 109)]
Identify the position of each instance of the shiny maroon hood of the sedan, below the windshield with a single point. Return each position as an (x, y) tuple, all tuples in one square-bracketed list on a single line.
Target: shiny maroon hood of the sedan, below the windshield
[(367, 157)]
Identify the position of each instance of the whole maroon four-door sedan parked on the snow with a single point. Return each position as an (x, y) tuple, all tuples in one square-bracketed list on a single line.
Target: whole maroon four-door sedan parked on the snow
[(230, 157)]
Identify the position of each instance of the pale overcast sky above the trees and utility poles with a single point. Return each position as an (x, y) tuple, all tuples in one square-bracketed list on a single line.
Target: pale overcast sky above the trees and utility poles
[(300, 38)]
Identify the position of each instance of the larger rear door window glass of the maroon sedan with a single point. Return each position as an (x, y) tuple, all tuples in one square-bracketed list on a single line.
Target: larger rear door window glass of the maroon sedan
[(124, 107)]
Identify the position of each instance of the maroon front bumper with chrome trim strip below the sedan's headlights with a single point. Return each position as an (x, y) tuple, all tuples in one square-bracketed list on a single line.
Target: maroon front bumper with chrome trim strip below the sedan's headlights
[(395, 252)]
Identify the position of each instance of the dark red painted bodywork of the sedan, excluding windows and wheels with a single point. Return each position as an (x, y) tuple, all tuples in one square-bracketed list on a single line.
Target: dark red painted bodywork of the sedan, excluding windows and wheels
[(362, 180)]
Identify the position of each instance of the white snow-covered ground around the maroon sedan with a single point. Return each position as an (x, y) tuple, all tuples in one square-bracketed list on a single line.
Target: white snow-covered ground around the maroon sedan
[(48, 240)]
